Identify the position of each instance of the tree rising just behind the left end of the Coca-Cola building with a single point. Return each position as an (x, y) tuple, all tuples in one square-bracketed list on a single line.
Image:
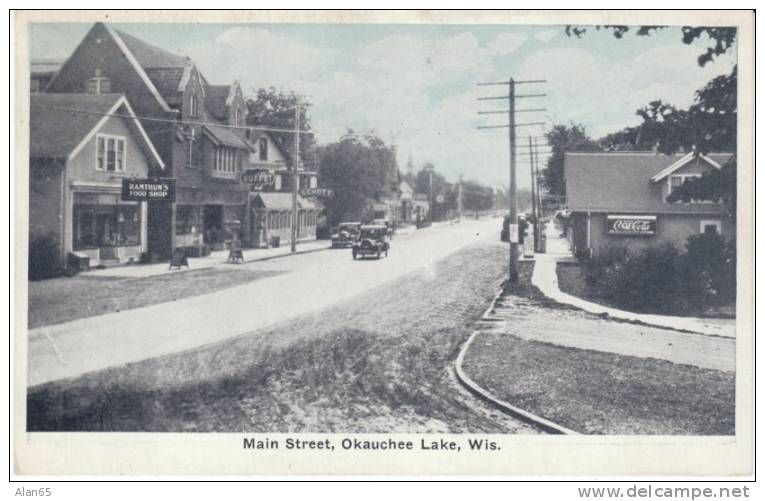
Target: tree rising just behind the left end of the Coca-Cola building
[(562, 138)]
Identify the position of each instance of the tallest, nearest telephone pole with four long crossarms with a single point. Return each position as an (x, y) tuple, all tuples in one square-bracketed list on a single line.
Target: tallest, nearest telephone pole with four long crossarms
[(511, 97)]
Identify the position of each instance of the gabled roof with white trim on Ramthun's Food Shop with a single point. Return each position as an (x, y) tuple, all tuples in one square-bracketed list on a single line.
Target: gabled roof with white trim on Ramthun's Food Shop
[(61, 124)]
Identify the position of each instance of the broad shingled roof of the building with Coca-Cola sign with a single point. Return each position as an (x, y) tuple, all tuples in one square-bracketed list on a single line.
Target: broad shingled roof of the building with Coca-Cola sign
[(621, 181)]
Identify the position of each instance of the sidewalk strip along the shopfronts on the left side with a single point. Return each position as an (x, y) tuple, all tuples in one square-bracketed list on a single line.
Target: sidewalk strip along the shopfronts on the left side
[(200, 263)]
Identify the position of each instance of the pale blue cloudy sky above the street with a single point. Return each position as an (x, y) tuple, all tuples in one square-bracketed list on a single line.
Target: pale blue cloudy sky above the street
[(415, 85)]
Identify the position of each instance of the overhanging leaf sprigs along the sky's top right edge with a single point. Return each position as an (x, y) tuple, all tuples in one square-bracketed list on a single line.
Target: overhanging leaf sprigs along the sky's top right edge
[(723, 38)]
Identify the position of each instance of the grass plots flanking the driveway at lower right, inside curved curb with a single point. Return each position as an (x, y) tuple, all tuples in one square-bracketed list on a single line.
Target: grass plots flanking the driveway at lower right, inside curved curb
[(596, 392)]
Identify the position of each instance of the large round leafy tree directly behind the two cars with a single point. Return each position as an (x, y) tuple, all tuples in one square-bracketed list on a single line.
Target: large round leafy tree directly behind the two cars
[(357, 169)]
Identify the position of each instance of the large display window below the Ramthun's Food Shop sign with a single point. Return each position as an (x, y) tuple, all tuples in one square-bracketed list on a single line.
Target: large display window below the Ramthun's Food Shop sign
[(106, 225)]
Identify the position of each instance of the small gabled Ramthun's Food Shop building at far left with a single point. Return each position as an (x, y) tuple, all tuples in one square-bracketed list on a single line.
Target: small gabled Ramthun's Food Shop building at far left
[(77, 162)]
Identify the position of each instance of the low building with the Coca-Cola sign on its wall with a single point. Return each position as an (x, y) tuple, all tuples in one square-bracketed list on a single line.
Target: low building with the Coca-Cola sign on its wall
[(620, 199)]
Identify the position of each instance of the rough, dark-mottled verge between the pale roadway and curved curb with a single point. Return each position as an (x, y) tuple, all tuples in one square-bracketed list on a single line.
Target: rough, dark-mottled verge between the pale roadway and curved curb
[(380, 363)]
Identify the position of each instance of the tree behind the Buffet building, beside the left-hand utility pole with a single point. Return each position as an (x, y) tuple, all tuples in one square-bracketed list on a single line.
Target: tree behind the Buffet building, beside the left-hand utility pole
[(275, 108)]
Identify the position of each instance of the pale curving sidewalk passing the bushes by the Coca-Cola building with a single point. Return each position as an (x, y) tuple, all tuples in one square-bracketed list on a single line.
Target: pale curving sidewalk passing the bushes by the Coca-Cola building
[(545, 278)]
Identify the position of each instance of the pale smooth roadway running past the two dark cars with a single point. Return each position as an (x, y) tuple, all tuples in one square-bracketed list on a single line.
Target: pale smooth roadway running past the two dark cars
[(305, 283)]
